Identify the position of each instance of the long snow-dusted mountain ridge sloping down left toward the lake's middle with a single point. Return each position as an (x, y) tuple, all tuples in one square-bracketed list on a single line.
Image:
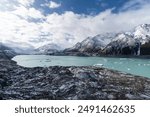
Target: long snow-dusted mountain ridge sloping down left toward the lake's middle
[(92, 44)]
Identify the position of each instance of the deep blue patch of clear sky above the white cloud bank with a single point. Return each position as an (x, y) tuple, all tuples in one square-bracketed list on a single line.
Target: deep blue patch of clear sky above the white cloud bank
[(87, 7)]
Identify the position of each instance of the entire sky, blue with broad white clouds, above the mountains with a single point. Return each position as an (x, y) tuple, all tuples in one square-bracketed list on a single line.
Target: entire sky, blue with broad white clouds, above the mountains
[(66, 22)]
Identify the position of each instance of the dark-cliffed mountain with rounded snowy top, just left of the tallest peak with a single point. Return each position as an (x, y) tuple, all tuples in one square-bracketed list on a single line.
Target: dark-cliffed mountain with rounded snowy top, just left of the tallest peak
[(123, 44)]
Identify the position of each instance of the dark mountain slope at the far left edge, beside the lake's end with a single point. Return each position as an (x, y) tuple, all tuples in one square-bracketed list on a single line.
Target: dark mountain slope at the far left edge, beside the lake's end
[(6, 52)]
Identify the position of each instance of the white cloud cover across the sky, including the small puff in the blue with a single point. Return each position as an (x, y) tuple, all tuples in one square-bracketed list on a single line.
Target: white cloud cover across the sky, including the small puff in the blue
[(21, 22)]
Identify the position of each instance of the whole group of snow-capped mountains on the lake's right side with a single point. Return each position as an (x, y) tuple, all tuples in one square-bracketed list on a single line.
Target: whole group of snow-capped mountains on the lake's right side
[(125, 43)]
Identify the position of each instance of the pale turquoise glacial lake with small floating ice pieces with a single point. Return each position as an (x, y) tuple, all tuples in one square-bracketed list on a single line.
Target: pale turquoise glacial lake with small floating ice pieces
[(134, 66)]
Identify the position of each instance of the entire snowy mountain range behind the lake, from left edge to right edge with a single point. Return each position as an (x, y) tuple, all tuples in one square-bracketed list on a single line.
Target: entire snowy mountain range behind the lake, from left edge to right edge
[(136, 42)]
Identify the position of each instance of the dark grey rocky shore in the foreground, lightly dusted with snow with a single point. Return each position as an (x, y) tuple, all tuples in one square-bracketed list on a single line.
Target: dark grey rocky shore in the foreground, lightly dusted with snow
[(74, 83)]
